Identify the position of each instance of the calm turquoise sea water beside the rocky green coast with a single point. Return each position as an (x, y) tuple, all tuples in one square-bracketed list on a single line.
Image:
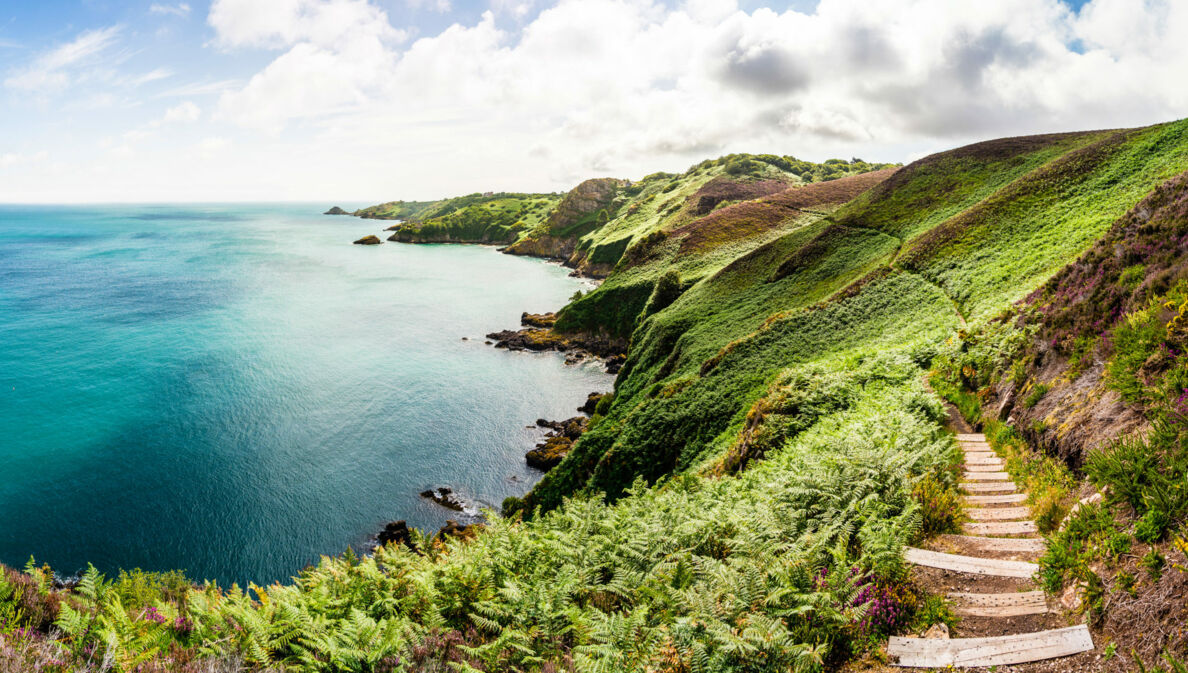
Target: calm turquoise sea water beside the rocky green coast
[(238, 391)]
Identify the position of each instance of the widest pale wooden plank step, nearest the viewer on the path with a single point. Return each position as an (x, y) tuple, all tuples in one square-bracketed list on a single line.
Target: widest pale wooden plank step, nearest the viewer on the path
[(1001, 651)]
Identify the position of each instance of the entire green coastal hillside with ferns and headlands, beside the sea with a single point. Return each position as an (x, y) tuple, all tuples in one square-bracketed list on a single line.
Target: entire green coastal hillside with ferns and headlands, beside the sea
[(743, 501)]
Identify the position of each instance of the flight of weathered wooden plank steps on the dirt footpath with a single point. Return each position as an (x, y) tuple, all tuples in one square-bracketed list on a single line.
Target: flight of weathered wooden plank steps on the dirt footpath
[(1000, 526)]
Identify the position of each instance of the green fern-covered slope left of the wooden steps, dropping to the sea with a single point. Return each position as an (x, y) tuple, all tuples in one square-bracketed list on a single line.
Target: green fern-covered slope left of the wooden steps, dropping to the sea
[(800, 338)]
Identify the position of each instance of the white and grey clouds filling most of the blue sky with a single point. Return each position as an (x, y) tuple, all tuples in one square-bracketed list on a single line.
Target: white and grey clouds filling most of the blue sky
[(344, 102)]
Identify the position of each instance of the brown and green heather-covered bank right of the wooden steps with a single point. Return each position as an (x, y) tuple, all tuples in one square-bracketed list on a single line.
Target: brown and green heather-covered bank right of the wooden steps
[(1094, 368)]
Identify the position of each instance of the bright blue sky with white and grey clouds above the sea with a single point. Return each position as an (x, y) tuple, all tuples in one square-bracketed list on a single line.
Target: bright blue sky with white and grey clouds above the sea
[(358, 102)]
